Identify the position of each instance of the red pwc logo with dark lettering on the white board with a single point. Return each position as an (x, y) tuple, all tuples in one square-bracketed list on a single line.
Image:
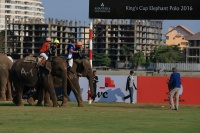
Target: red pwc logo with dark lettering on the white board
[(108, 84)]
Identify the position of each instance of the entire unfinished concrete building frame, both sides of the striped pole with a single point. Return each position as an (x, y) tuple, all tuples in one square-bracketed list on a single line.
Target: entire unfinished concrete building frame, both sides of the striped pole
[(26, 37)]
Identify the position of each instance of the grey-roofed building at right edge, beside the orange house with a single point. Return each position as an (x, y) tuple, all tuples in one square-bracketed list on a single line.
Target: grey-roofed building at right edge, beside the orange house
[(191, 54)]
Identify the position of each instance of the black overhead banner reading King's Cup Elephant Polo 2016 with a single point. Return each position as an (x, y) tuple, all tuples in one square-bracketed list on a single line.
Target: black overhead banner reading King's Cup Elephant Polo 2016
[(145, 9)]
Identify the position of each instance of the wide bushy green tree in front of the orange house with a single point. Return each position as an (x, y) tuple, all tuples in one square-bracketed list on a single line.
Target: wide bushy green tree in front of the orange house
[(166, 54)]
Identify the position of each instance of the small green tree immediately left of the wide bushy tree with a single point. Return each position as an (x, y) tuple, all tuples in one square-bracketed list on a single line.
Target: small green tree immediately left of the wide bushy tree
[(138, 59)]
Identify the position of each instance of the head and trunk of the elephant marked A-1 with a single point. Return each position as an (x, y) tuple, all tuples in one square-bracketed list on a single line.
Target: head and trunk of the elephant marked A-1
[(58, 68)]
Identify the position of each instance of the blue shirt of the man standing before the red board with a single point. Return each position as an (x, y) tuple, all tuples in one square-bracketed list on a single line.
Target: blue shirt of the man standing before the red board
[(175, 79)]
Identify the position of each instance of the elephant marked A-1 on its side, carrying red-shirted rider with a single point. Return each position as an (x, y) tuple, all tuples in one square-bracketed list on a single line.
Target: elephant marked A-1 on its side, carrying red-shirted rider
[(26, 75)]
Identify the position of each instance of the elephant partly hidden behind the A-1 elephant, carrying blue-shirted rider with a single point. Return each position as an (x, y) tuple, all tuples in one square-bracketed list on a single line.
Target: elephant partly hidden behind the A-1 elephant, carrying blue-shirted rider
[(72, 84)]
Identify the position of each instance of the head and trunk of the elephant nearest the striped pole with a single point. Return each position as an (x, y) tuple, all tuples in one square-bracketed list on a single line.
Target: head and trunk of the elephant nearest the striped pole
[(86, 71)]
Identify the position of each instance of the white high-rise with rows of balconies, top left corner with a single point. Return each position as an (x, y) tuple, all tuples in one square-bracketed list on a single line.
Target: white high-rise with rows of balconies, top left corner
[(20, 9)]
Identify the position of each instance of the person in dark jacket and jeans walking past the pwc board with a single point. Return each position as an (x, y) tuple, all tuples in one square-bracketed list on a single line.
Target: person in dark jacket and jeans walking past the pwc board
[(129, 86)]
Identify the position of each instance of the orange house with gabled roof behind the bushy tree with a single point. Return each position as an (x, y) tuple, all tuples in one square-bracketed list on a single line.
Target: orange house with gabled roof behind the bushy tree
[(177, 35)]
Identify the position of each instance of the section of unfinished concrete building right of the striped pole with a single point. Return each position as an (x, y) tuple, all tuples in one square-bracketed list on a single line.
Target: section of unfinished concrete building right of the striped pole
[(139, 35)]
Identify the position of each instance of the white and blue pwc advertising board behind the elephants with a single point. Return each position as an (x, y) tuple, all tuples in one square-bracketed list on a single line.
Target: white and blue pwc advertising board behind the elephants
[(109, 89)]
